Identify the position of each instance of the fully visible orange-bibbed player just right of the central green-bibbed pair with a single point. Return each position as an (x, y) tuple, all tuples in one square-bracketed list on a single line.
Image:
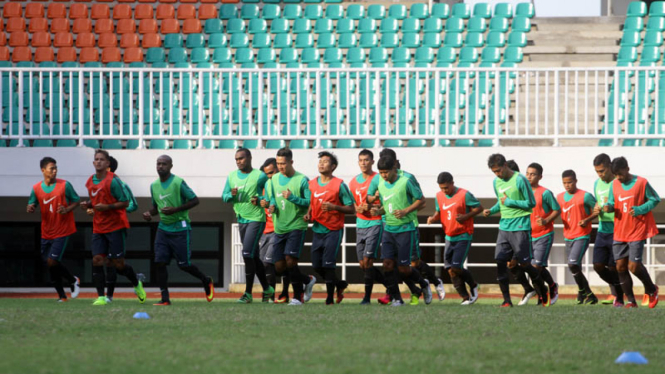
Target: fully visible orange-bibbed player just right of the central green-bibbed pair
[(331, 200)]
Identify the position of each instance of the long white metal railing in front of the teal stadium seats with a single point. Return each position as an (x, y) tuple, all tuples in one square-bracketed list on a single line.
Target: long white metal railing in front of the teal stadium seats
[(423, 106)]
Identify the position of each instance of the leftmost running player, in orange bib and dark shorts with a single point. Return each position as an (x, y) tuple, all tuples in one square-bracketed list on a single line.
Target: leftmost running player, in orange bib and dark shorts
[(56, 199)]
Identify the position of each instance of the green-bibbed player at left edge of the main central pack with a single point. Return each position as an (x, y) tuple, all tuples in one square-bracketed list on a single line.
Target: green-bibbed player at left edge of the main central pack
[(242, 189)]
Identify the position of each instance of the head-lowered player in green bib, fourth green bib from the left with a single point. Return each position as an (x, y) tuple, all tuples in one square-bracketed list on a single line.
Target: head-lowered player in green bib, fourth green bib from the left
[(401, 199)]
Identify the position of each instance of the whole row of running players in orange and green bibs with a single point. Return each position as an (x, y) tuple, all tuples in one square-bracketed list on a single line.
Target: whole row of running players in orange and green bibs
[(275, 205)]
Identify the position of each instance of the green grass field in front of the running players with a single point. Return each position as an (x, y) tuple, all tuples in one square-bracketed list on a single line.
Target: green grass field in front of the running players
[(41, 336)]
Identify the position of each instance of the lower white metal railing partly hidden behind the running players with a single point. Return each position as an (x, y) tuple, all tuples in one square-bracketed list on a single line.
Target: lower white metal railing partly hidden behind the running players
[(238, 266)]
